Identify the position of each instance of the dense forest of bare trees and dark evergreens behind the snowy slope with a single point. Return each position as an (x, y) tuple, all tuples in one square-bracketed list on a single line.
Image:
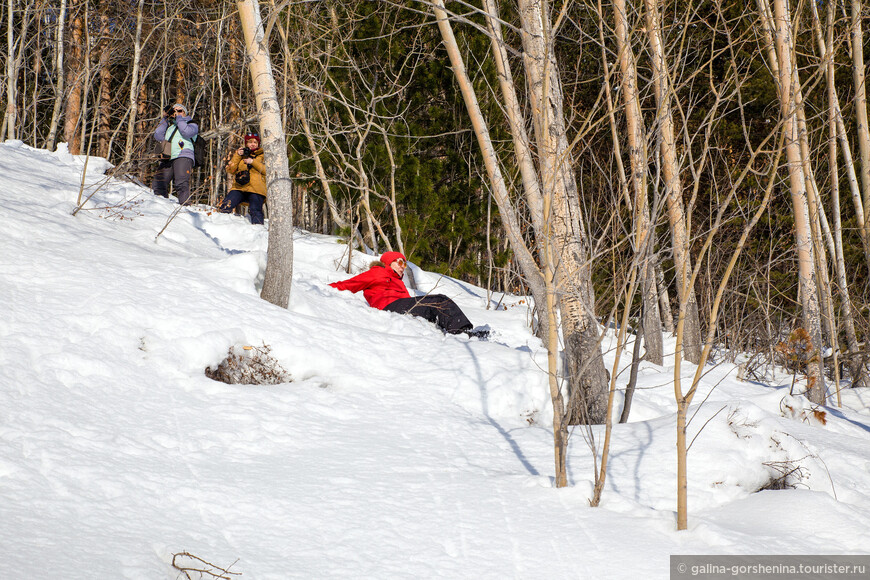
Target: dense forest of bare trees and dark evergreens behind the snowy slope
[(757, 110)]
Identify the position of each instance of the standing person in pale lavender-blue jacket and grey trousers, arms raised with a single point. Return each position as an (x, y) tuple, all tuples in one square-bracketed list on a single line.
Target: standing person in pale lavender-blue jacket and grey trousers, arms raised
[(176, 132)]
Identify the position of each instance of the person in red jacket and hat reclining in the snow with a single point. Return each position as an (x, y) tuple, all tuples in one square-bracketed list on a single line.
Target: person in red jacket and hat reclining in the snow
[(383, 289)]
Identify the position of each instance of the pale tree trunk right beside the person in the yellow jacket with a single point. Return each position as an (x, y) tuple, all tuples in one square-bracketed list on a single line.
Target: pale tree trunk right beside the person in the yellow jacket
[(279, 265)]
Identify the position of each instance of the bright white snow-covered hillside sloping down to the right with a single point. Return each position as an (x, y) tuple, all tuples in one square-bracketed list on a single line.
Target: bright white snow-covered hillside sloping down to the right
[(394, 451)]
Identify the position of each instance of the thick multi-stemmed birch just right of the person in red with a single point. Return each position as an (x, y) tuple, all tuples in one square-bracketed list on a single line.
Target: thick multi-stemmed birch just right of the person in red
[(550, 193)]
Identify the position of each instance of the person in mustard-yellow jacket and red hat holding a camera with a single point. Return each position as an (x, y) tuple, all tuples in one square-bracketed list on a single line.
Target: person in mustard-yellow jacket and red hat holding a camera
[(247, 179)]
